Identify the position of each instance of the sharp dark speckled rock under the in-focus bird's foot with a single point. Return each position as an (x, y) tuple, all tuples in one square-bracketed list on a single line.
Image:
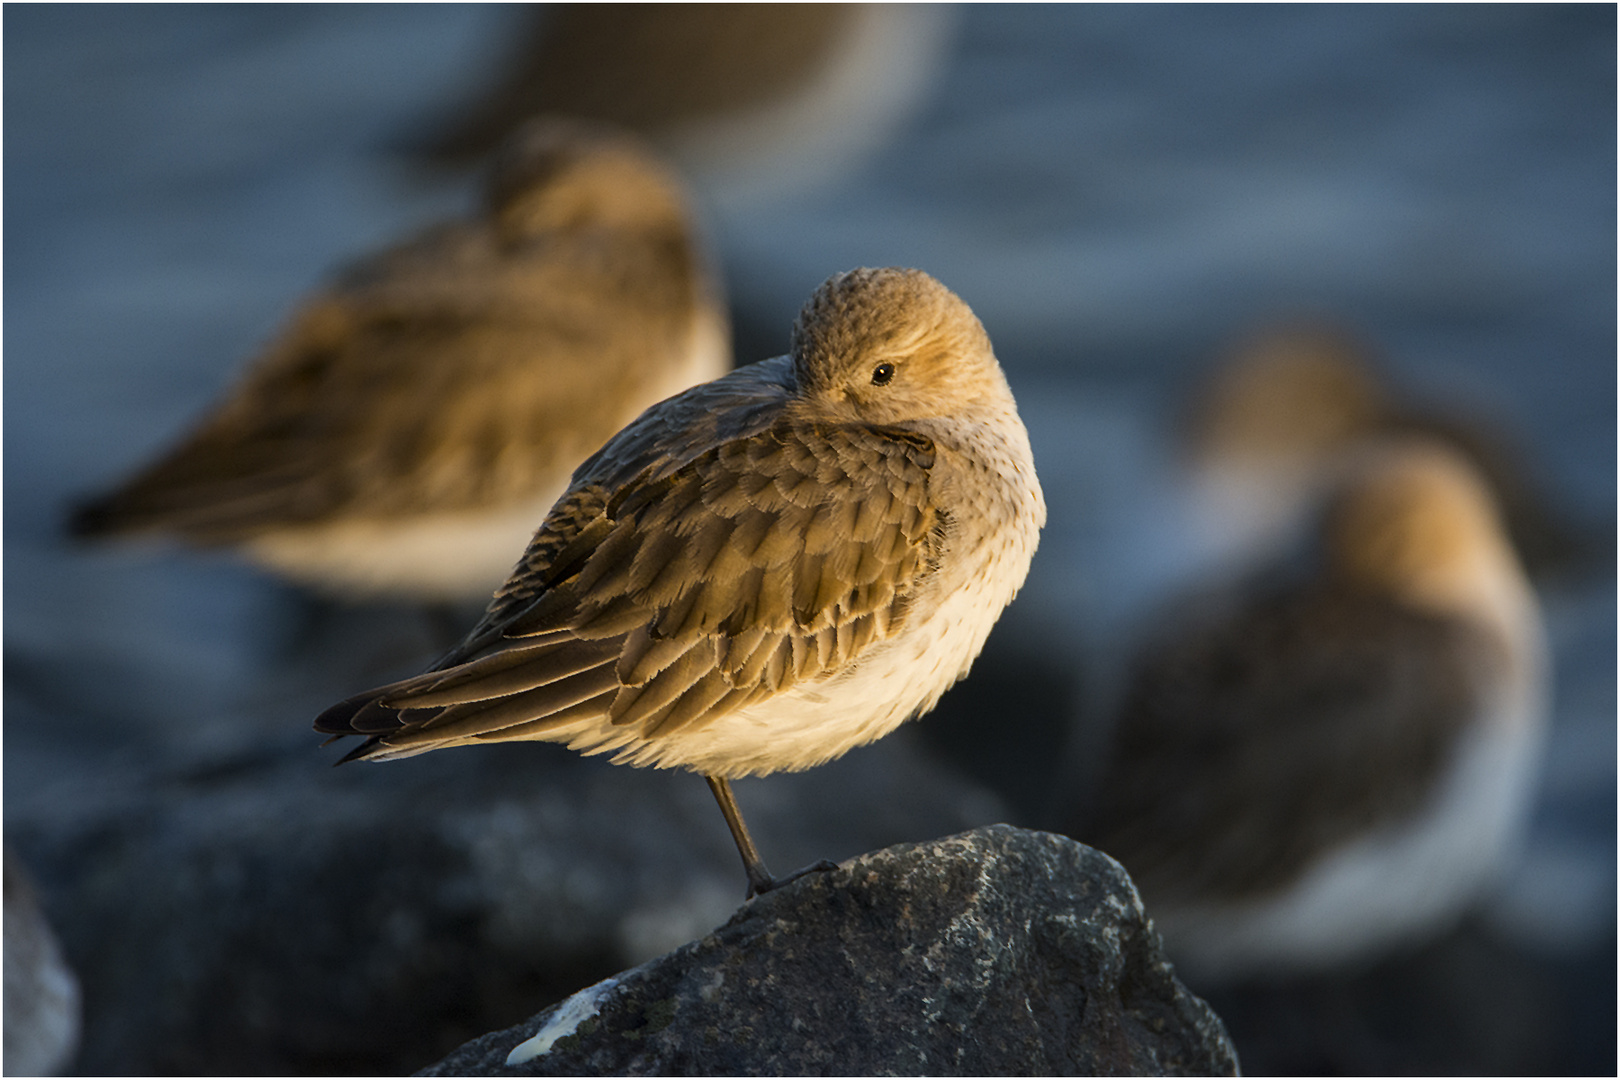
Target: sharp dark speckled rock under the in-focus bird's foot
[(992, 953)]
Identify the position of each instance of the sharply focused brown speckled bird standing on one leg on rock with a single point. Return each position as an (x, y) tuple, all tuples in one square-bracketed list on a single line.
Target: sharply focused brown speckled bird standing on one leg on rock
[(762, 572)]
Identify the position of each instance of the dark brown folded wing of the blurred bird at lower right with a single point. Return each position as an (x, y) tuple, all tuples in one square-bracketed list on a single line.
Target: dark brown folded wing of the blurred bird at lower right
[(1248, 750)]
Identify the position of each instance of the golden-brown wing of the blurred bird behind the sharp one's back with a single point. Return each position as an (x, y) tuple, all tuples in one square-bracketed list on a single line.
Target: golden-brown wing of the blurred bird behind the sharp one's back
[(441, 376)]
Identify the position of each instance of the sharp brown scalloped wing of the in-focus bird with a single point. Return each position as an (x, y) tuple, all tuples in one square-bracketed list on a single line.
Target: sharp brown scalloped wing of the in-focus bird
[(686, 593)]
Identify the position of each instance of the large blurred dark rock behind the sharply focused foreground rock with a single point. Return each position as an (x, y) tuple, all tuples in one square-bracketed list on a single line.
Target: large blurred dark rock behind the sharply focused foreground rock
[(266, 914)]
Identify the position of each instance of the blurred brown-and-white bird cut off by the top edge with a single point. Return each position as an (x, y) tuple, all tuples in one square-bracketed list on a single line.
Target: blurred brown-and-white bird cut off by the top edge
[(748, 98)]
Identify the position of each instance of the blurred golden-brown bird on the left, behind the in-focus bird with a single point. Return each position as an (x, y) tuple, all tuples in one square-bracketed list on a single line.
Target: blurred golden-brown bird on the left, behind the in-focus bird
[(406, 432)]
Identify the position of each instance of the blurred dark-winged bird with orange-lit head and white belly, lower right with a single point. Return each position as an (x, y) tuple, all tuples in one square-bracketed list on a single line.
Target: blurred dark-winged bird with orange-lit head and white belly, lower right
[(1339, 757)]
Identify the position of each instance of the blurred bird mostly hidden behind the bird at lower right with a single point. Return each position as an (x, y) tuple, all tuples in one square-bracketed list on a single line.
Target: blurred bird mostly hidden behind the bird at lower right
[(1269, 430)]
